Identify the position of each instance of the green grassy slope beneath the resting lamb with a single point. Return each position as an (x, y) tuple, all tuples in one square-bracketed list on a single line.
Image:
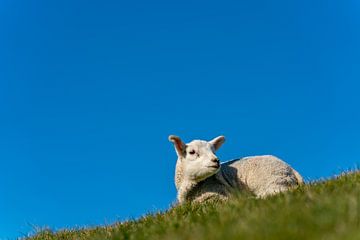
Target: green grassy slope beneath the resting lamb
[(321, 210)]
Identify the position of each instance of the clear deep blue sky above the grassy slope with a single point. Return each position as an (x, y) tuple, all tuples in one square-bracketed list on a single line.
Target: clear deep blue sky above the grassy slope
[(90, 91)]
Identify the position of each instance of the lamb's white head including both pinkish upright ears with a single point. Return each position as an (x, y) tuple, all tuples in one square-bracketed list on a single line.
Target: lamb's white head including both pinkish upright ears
[(196, 160)]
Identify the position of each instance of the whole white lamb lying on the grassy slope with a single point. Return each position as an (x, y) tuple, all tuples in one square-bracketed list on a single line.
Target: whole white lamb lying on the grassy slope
[(199, 176)]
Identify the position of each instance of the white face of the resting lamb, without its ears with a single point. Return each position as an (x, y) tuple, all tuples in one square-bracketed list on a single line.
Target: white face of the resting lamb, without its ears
[(200, 161)]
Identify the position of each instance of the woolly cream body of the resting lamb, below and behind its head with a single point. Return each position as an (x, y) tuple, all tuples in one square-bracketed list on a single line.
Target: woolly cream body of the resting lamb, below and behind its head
[(261, 175)]
